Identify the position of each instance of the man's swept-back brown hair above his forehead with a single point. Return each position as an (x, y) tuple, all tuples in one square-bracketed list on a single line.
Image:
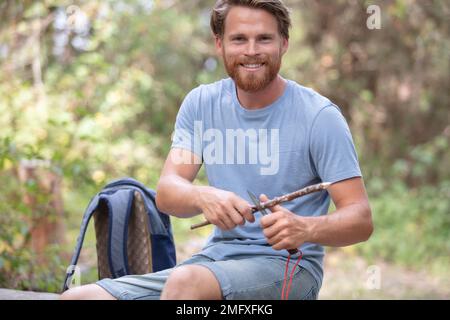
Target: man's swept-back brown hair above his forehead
[(275, 7)]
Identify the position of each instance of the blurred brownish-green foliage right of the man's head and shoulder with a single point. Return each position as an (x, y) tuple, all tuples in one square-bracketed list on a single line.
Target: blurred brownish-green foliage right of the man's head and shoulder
[(392, 84)]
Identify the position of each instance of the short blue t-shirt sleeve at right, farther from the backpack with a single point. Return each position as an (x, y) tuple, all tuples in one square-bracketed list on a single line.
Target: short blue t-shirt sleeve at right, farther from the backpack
[(332, 150)]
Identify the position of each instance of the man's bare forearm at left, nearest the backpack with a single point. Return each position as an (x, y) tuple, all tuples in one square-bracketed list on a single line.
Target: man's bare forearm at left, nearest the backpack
[(178, 196)]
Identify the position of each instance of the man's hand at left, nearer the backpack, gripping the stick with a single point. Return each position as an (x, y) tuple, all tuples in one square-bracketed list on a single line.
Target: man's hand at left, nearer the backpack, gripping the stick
[(223, 208)]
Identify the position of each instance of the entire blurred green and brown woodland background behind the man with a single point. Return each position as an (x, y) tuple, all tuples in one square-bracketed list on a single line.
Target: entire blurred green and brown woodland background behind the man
[(89, 91)]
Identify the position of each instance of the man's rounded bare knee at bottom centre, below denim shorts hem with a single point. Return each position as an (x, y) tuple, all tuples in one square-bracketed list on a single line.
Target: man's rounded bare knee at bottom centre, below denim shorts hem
[(191, 283)]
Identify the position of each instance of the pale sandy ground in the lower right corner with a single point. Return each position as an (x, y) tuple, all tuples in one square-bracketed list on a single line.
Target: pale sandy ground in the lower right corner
[(351, 277)]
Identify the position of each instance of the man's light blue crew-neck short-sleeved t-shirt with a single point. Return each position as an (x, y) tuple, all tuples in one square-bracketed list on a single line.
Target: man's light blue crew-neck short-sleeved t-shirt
[(298, 140)]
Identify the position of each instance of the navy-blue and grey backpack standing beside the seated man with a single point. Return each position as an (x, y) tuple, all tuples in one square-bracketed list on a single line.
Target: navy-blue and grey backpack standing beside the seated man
[(132, 235)]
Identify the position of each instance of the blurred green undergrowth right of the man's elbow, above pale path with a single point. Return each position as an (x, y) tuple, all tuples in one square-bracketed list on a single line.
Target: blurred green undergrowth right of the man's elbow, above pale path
[(412, 227)]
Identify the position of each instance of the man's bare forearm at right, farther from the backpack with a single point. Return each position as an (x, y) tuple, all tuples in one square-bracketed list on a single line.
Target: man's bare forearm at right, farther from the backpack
[(345, 226)]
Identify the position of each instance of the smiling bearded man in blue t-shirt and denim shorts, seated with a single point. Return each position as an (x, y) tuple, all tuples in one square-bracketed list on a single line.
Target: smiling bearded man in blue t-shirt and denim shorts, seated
[(305, 134)]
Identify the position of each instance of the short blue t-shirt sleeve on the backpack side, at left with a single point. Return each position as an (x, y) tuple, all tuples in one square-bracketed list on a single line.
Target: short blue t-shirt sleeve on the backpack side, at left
[(187, 131)]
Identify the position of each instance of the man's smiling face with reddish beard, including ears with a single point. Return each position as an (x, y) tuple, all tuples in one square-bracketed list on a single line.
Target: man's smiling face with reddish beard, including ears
[(251, 47)]
